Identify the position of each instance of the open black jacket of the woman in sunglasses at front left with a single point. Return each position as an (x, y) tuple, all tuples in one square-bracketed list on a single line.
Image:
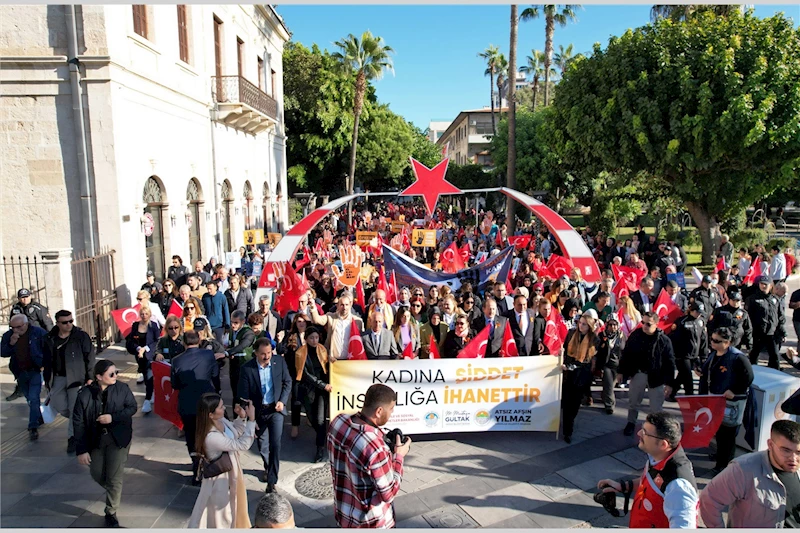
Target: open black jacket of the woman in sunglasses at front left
[(120, 404)]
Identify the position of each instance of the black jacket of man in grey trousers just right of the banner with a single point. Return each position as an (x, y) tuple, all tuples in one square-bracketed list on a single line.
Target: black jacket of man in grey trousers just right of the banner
[(651, 354)]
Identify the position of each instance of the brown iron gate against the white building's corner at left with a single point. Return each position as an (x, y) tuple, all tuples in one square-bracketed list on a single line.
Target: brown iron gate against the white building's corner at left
[(94, 284)]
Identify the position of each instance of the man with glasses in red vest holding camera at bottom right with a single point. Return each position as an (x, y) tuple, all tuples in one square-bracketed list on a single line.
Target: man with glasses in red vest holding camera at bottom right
[(665, 496)]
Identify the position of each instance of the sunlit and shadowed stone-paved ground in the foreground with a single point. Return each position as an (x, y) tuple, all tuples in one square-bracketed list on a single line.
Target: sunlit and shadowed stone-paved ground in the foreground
[(503, 480)]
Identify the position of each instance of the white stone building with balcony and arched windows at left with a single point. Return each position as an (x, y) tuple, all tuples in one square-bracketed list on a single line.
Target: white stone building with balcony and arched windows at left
[(152, 130)]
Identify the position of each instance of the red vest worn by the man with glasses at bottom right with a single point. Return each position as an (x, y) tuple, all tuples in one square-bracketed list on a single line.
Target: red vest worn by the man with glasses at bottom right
[(648, 504)]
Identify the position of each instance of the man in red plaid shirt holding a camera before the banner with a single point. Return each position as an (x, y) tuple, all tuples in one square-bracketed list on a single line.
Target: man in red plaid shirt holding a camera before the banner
[(366, 475)]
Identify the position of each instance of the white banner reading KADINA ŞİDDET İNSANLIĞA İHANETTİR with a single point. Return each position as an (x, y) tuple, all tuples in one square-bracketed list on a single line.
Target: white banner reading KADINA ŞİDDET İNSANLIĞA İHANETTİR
[(457, 395)]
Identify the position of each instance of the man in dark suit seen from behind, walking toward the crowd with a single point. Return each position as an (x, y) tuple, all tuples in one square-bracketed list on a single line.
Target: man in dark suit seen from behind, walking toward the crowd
[(193, 374)]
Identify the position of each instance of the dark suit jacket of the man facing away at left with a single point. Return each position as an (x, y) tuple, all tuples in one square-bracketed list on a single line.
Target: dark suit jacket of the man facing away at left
[(193, 374)]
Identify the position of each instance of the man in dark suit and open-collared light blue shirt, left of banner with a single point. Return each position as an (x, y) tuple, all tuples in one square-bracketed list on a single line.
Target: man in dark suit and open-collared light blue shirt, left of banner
[(265, 381)]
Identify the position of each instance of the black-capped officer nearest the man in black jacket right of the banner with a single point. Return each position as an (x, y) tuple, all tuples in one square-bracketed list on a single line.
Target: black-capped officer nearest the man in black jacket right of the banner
[(690, 342)]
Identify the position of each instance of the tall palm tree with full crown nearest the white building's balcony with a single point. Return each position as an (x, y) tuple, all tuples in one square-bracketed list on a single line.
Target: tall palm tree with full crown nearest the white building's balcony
[(367, 58)]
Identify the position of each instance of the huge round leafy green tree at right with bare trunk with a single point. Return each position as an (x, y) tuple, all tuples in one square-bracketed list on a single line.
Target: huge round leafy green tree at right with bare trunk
[(709, 108)]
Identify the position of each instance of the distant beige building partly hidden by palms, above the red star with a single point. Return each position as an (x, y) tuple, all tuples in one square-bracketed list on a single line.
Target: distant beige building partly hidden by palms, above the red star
[(469, 136)]
